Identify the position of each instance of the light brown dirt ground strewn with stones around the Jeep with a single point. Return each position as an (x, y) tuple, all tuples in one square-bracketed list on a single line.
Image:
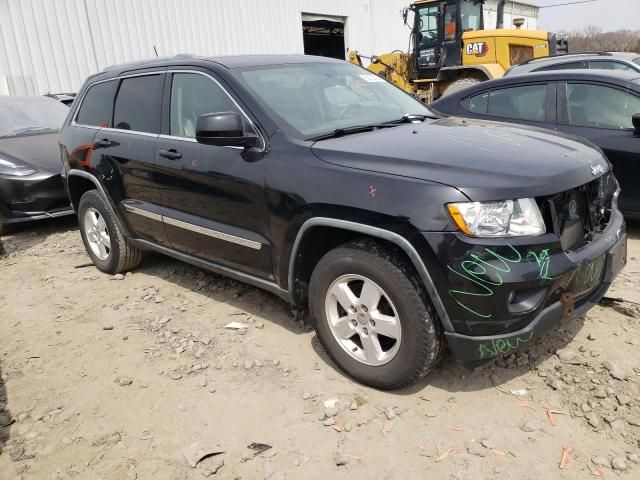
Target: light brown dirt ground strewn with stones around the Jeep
[(109, 377)]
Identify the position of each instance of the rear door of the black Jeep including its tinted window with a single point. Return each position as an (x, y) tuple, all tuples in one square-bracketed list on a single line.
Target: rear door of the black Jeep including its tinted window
[(124, 153)]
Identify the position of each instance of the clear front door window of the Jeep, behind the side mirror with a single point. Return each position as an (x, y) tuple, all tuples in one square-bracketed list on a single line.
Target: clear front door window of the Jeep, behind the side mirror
[(193, 95)]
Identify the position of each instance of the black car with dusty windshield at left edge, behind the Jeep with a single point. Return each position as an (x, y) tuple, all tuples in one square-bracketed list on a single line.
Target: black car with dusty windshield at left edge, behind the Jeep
[(30, 184)]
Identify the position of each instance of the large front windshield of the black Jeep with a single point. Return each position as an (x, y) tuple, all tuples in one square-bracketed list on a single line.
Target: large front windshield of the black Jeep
[(319, 98)]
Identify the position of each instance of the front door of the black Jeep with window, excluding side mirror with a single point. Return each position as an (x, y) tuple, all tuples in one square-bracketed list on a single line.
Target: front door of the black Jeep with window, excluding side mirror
[(214, 200)]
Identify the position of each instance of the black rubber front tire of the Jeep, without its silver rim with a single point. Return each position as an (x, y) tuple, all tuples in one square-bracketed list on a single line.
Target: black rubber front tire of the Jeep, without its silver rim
[(421, 343)]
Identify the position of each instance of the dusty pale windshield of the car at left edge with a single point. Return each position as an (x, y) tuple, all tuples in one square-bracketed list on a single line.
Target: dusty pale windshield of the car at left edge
[(28, 115)]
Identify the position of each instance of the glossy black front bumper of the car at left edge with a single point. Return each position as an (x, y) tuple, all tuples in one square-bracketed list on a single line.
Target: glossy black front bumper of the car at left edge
[(34, 197)]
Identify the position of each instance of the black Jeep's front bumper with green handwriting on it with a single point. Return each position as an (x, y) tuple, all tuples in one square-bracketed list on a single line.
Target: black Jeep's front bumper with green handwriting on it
[(563, 284)]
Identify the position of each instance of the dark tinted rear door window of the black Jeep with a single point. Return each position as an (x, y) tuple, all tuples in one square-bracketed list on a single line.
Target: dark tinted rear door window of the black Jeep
[(138, 104)]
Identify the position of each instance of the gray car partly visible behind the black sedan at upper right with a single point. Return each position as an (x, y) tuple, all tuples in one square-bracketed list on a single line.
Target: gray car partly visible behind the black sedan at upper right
[(618, 61)]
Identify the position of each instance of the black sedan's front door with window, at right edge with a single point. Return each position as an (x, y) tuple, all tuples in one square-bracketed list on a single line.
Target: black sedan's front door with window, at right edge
[(602, 113)]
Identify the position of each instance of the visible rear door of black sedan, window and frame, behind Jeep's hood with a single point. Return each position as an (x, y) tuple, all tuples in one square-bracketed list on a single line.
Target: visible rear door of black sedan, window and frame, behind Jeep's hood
[(531, 104)]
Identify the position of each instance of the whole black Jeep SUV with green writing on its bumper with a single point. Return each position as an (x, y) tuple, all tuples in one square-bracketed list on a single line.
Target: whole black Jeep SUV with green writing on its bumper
[(326, 185)]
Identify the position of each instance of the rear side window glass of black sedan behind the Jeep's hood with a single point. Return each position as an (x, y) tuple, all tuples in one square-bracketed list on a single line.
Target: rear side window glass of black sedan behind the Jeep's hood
[(519, 103)]
